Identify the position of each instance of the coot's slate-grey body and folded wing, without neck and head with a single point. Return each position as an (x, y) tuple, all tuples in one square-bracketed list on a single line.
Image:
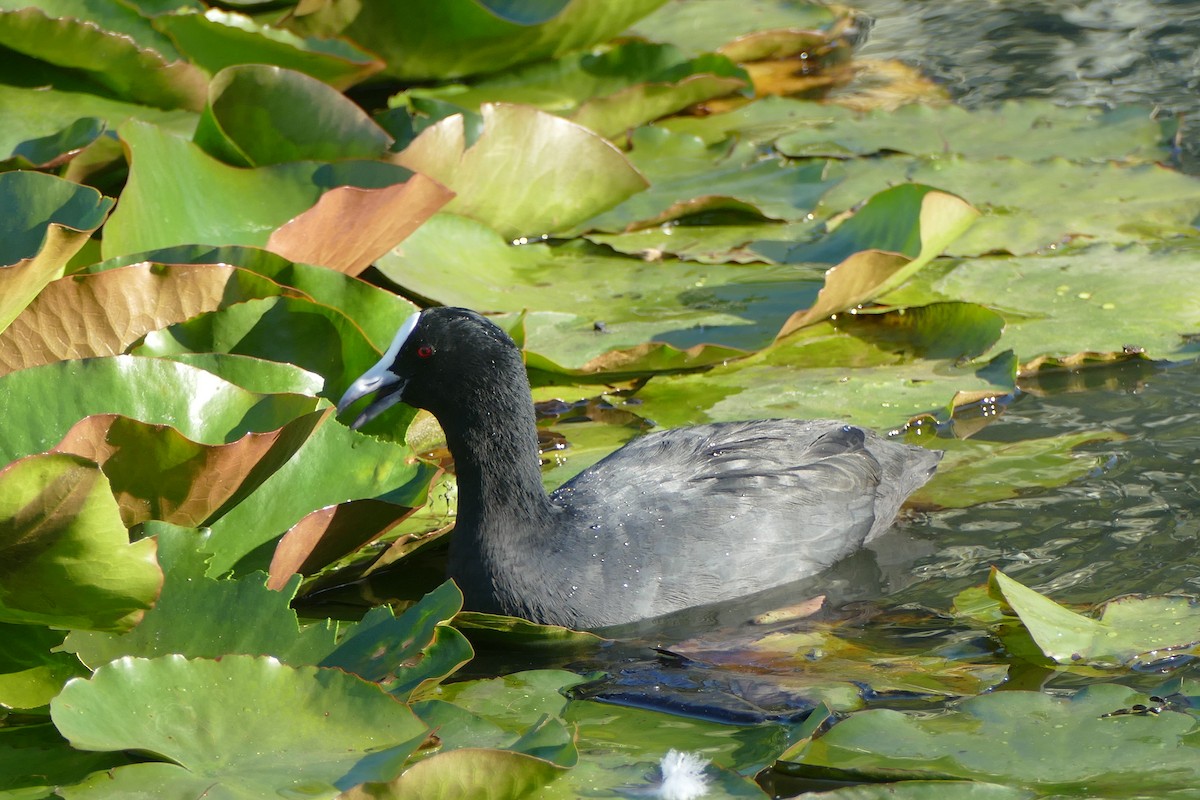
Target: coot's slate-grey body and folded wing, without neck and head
[(699, 515)]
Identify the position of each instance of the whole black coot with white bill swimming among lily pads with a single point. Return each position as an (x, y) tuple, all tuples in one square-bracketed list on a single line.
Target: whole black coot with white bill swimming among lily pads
[(673, 520)]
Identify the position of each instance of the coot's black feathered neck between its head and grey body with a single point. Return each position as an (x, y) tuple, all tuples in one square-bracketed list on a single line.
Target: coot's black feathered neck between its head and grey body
[(494, 440)]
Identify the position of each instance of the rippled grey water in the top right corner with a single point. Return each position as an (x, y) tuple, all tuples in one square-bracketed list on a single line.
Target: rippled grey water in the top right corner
[(1101, 53)]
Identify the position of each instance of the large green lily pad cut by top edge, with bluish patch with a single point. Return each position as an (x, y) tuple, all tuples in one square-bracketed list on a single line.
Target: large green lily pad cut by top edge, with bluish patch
[(421, 41)]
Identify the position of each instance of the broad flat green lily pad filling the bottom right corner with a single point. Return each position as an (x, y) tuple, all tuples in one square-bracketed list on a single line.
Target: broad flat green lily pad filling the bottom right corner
[(1053, 745)]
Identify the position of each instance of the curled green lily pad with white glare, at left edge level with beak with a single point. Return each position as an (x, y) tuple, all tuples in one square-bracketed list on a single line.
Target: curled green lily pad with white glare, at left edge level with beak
[(201, 406)]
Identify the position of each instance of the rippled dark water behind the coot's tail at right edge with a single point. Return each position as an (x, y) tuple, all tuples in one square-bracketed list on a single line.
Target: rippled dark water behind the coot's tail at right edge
[(1132, 527)]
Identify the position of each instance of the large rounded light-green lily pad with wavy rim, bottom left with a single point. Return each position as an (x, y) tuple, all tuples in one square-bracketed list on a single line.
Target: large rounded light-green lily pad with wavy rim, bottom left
[(313, 731)]
